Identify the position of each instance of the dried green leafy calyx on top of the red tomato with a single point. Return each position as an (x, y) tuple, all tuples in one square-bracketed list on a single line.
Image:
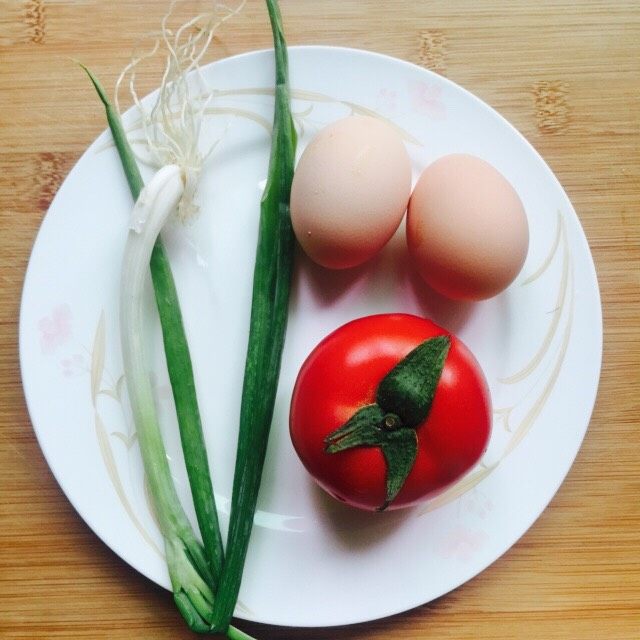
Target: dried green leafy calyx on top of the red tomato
[(403, 400)]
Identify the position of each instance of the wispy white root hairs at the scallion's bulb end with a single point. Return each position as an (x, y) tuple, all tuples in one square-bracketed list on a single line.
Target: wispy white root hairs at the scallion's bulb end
[(171, 128)]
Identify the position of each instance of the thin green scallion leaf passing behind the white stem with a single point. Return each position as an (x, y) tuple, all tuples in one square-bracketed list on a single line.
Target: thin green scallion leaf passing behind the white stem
[(178, 359)]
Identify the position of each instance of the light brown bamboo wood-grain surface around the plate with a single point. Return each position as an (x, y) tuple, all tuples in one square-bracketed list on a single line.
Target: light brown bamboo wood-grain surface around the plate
[(566, 74)]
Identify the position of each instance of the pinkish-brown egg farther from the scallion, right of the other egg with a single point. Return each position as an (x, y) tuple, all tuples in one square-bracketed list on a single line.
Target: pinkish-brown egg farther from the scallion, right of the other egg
[(467, 230)]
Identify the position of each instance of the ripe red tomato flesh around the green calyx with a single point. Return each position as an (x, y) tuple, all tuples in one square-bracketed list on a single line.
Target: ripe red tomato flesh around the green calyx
[(341, 375)]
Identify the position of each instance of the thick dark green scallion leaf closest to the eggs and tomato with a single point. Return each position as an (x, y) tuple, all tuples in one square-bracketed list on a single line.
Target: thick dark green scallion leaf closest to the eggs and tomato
[(270, 300)]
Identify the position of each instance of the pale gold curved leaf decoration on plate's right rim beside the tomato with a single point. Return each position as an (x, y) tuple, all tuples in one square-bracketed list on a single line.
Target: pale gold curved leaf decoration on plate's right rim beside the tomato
[(504, 414)]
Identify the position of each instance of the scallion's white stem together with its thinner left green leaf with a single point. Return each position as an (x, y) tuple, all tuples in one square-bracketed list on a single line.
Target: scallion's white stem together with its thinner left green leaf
[(192, 573)]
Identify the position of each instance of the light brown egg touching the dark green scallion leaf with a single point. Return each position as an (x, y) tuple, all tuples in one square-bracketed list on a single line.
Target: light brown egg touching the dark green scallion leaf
[(350, 191)]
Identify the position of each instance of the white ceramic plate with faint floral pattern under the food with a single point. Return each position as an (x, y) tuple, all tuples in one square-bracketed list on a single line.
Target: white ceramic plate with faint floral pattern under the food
[(312, 561)]
